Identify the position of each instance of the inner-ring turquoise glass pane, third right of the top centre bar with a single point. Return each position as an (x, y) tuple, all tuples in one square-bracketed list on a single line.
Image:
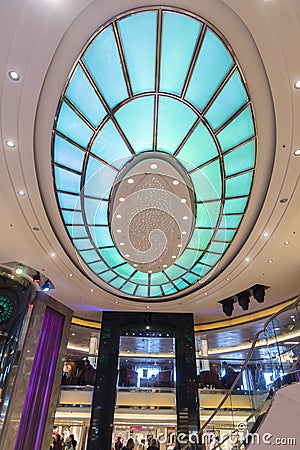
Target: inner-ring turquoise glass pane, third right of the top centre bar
[(208, 182)]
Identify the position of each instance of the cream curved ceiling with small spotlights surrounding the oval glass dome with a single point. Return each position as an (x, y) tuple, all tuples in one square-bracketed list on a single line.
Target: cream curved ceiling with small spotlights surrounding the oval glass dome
[(41, 40)]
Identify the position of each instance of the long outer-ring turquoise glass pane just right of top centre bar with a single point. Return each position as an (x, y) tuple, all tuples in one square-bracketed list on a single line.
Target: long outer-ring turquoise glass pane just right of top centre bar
[(177, 50)]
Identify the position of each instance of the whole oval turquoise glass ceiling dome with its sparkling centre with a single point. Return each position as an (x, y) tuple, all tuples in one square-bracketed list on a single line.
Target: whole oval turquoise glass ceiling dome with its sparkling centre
[(153, 153)]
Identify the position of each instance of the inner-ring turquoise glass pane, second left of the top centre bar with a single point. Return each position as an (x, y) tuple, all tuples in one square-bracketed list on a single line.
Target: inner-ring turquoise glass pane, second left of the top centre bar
[(110, 147)]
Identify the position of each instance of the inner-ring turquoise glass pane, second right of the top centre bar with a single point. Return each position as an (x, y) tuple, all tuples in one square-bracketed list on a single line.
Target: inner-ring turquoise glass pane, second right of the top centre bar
[(198, 149)]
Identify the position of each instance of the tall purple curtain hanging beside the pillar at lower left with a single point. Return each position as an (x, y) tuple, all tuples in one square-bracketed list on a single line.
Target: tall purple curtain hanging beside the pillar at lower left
[(34, 415)]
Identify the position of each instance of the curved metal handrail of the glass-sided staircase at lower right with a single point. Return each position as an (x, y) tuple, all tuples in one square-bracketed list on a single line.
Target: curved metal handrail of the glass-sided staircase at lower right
[(229, 392)]
